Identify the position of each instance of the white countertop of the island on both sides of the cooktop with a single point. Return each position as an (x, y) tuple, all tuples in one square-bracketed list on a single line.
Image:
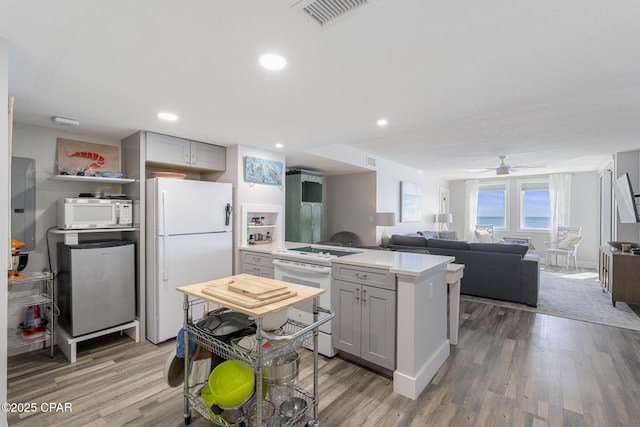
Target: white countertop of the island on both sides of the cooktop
[(398, 262)]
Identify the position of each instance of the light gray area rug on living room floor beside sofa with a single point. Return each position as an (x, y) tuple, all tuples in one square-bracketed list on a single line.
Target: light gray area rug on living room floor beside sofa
[(576, 295)]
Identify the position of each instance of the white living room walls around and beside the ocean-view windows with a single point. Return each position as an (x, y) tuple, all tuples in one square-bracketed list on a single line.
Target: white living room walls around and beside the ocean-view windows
[(585, 212)]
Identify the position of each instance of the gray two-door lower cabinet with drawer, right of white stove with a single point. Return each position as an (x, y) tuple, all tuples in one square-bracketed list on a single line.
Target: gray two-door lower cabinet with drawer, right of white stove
[(364, 302)]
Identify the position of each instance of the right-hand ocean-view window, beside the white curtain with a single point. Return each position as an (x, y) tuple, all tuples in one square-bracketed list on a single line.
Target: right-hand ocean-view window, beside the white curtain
[(535, 205)]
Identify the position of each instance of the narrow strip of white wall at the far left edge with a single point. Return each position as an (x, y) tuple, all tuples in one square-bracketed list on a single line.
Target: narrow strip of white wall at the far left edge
[(4, 219)]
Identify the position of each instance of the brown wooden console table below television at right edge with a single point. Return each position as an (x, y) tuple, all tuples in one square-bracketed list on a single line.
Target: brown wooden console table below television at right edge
[(619, 274)]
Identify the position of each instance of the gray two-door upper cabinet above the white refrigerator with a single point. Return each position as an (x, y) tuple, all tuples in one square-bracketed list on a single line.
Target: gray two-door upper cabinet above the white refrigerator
[(181, 152)]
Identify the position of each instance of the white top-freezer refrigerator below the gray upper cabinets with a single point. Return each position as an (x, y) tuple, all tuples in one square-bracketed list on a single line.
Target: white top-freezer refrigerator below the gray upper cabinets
[(188, 240)]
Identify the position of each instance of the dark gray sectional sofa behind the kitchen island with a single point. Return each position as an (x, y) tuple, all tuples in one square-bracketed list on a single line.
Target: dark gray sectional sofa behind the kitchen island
[(492, 270)]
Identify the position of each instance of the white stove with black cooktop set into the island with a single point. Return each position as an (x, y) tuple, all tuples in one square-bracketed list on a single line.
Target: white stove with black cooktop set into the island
[(311, 266)]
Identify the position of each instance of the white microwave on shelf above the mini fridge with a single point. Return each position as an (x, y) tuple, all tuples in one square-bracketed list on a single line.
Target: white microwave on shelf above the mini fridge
[(88, 213)]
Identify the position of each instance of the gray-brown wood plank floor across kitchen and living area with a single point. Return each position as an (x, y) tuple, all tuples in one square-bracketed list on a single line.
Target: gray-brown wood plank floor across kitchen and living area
[(510, 368)]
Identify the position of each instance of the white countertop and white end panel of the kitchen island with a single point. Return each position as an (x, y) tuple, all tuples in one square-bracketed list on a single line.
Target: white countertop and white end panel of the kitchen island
[(421, 344)]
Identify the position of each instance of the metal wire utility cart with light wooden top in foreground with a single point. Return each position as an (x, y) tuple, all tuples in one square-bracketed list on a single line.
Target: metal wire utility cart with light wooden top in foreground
[(291, 336)]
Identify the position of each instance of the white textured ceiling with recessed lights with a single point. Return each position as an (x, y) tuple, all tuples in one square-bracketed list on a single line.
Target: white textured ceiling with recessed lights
[(545, 83)]
